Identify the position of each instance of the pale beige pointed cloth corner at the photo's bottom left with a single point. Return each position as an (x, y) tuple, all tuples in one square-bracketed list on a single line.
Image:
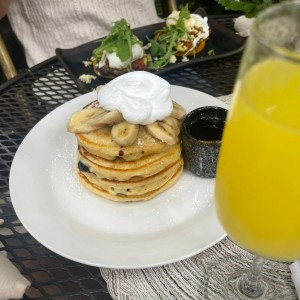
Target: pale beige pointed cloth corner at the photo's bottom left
[(12, 283)]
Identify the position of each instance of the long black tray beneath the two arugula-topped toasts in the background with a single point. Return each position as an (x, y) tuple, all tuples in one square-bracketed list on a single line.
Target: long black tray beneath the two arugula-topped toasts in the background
[(222, 42)]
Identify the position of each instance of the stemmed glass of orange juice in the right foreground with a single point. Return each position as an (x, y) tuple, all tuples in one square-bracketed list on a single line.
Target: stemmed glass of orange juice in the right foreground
[(257, 190)]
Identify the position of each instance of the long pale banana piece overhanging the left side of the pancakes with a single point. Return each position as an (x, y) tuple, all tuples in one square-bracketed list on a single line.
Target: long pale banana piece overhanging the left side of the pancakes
[(90, 119)]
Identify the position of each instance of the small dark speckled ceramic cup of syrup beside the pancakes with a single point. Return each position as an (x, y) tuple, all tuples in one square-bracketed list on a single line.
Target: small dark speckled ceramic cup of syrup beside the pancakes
[(202, 131)]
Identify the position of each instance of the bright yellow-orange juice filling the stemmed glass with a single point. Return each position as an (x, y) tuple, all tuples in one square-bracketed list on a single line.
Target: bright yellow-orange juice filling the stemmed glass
[(258, 178)]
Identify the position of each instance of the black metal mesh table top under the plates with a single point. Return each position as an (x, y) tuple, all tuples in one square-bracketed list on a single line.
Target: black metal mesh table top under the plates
[(26, 99)]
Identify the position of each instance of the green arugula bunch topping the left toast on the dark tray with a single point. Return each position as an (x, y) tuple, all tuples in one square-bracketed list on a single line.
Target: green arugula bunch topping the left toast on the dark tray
[(120, 41)]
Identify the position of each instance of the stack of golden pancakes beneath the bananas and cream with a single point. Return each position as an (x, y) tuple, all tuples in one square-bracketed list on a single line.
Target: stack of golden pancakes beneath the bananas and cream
[(134, 172)]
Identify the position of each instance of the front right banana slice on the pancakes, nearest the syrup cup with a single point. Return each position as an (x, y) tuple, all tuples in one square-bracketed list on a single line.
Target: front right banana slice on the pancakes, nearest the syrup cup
[(166, 130)]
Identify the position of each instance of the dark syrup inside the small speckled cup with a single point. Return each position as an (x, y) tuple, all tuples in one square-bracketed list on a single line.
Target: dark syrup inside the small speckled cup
[(207, 130)]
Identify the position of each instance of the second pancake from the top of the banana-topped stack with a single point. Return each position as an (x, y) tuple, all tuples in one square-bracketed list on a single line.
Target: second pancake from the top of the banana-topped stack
[(121, 170)]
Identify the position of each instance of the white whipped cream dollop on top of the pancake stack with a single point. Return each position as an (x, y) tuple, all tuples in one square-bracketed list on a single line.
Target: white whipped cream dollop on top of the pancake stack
[(140, 96)]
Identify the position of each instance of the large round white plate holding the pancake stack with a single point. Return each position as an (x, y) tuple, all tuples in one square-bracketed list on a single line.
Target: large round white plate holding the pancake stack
[(71, 221)]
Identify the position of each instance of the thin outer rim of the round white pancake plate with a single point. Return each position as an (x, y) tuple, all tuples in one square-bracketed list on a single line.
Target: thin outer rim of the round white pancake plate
[(84, 261)]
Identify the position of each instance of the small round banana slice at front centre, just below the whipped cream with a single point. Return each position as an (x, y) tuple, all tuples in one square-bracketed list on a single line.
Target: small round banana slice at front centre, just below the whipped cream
[(124, 133)]
